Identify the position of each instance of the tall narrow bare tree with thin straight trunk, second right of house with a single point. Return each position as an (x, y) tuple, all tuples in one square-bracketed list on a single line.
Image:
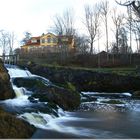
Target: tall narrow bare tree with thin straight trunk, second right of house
[(105, 13)]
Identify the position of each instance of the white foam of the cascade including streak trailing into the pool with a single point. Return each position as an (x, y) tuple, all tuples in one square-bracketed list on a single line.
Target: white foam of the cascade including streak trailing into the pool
[(38, 119)]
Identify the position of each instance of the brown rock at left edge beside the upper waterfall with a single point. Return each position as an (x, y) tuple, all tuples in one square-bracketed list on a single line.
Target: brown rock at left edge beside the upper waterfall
[(6, 90)]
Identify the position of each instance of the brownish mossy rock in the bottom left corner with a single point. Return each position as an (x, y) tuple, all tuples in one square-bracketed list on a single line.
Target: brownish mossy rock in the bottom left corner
[(13, 128)]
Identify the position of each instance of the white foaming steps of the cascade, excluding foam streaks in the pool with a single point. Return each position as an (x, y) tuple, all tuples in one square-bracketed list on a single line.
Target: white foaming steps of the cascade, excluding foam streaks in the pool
[(37, 119)]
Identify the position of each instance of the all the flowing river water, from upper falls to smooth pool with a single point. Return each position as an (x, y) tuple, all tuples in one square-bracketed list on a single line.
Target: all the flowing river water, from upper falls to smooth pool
[(95, 119)]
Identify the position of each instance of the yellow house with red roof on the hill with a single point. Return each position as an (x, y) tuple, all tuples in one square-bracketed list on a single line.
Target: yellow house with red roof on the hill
[(49, 43)]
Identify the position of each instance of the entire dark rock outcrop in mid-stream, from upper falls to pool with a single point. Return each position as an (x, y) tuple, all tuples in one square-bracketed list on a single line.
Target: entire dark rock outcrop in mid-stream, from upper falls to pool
[(47, 92)]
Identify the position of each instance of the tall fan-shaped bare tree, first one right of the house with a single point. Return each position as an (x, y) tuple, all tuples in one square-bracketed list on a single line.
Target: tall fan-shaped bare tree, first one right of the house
[(92, 18)]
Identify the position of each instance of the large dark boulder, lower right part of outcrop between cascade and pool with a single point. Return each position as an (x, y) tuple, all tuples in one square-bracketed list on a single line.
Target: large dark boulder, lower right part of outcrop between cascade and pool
[(66, 99)]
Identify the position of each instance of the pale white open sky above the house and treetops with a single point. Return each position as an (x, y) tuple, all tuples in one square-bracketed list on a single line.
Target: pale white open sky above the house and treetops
[(36, 16)]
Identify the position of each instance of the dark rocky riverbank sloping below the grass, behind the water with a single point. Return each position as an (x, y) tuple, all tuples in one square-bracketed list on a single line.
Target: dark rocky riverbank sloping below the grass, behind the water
[(87, 80)]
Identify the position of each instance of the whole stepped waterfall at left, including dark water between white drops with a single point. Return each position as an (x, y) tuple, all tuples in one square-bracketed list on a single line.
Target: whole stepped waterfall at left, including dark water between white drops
[(23, 105)]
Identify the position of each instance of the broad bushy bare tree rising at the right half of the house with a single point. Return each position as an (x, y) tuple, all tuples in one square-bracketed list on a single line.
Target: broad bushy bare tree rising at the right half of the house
[(64, 27)]
